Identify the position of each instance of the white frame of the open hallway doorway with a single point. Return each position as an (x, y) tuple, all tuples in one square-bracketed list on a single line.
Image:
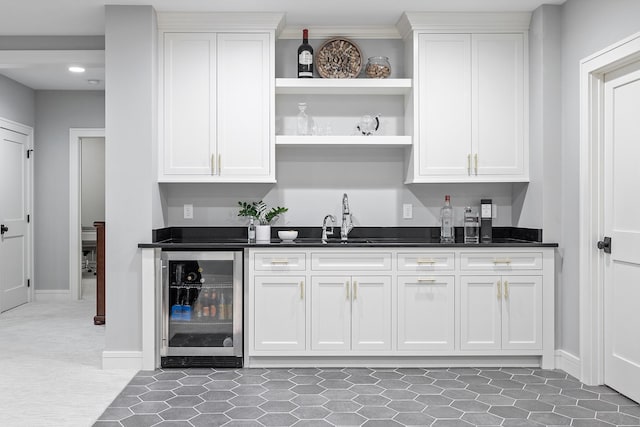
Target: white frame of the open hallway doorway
[(75, 206)]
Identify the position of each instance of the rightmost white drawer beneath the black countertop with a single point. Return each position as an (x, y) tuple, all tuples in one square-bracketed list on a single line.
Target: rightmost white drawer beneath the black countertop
[(501, 261)]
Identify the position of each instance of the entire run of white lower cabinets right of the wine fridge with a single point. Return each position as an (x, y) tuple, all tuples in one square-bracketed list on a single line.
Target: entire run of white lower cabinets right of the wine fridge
[(400, 306)]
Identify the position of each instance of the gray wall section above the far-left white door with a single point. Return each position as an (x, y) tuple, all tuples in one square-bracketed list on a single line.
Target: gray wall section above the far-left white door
[(17, 102)]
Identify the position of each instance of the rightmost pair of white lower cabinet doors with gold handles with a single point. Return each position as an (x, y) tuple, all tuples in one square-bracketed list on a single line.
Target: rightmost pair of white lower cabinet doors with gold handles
[(501, 312)]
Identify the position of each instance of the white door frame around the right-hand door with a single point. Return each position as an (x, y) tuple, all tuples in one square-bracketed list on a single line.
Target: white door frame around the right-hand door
[(592, 71)]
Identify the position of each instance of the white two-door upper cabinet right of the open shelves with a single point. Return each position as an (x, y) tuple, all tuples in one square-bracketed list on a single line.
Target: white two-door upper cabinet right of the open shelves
[(470, 98)]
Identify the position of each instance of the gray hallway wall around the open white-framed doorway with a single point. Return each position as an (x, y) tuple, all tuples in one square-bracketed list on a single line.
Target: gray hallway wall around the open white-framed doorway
[(56, 113)]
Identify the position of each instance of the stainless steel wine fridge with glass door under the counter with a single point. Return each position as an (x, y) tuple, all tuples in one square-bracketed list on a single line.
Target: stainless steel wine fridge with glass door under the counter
[(201, 306)]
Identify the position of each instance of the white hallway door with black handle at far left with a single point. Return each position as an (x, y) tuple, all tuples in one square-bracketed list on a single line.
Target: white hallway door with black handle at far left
[(14, 240)]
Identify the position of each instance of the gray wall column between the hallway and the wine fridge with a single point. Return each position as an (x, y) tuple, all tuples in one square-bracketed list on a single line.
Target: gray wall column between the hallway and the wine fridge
[(131, 191)]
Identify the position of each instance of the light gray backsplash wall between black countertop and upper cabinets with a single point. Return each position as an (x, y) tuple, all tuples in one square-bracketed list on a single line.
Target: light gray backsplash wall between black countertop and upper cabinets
[(311, 182)]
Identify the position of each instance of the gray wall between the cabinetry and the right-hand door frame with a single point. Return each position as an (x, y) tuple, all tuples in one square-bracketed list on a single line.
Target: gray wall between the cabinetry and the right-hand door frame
[(587, 27)]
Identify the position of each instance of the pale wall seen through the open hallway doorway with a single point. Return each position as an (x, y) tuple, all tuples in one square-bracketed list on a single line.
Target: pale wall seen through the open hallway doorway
[(92, 181)]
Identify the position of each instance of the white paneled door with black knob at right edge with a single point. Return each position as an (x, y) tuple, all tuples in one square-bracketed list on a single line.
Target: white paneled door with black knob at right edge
[(621, 213)]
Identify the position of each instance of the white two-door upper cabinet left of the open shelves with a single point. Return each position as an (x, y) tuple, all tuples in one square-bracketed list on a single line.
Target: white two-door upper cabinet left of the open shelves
[(217, 99)]
